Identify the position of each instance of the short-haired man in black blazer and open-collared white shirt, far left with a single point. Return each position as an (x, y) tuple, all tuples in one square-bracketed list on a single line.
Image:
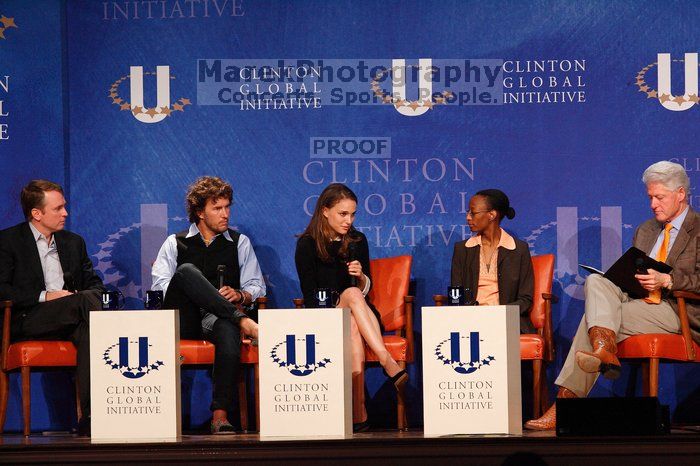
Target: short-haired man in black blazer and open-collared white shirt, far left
[(46, 272)]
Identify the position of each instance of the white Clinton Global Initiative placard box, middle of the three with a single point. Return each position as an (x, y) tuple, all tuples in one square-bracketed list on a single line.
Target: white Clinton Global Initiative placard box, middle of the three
[(305, 379)]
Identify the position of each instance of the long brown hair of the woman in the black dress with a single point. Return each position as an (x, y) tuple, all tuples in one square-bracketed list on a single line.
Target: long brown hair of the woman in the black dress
[(318, 227)]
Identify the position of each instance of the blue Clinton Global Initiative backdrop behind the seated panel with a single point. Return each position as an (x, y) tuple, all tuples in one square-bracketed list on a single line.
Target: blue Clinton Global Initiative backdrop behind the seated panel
[(556, 103)]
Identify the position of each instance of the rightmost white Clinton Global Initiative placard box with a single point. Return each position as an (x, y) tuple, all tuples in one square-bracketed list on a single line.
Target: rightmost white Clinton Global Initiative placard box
[(471, 370)]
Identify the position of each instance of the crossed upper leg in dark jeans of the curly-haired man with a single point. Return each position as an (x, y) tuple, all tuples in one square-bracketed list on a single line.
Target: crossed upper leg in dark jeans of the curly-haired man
[(189, 291)]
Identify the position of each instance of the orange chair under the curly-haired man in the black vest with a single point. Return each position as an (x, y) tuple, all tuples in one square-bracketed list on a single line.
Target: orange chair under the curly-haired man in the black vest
[(201, 352)]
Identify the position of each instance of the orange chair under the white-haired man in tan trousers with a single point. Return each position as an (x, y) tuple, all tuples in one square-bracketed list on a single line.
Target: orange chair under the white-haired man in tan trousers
[(652, 348)]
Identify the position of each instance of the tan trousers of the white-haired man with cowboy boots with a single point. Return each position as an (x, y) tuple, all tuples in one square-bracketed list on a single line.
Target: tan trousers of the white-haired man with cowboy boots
[(610, 307)]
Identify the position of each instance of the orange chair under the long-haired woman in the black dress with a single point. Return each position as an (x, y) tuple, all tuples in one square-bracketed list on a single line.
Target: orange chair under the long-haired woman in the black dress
[(390, 280)]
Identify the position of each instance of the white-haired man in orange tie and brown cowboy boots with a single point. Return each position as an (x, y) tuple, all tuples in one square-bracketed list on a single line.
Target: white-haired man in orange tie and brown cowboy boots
[(611, 315)]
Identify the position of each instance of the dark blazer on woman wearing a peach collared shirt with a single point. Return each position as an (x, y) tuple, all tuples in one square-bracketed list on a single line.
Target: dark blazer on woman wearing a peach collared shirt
[(516, 280)]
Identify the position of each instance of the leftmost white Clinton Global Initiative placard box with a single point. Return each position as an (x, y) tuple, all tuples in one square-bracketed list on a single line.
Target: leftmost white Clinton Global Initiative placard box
[(135, 376)]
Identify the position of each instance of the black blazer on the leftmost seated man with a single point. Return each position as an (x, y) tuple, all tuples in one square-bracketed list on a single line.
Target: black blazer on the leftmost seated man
[(21, 276)]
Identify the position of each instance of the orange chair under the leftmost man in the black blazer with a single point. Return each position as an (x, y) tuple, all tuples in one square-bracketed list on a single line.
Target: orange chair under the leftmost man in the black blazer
[(25, 355)]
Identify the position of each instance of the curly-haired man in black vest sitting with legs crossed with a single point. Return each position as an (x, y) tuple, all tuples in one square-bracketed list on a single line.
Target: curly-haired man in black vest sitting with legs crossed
[(210, 273)]
